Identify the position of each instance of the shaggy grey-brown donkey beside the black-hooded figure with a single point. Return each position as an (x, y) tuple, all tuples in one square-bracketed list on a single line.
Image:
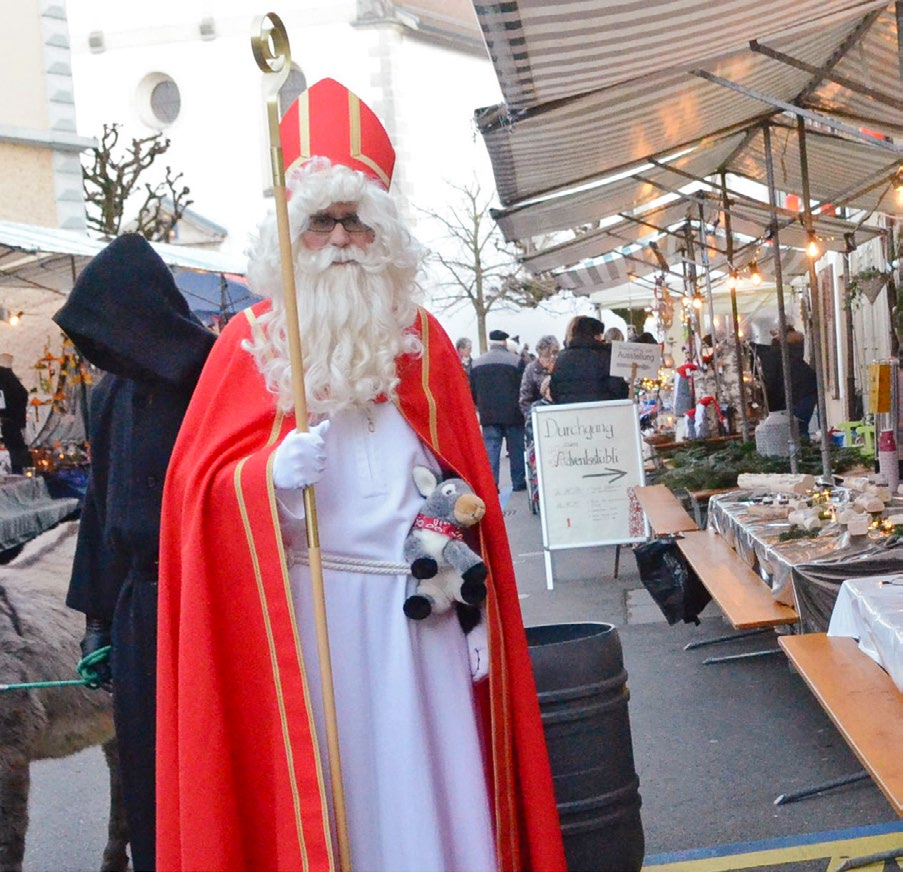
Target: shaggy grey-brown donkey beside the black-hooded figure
[(39, 641)]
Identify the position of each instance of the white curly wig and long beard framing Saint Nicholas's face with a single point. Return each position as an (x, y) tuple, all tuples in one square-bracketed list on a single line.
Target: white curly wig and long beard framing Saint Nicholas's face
[(355, 317)]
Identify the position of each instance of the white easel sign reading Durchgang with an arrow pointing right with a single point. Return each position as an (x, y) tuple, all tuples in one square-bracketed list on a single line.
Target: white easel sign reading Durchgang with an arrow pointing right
[(589, 459)]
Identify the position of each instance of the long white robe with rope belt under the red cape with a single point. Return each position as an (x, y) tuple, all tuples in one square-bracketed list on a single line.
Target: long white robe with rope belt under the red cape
[(412, 763)]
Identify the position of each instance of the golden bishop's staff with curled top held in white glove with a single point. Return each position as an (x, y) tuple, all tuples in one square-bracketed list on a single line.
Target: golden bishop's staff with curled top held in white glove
[(269, 43)]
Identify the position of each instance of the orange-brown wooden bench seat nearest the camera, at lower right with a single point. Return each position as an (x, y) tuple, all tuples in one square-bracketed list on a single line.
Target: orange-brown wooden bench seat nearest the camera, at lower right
[(861, 700)]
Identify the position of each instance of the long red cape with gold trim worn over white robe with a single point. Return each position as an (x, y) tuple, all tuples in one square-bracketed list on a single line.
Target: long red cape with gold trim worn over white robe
[(239, 784)]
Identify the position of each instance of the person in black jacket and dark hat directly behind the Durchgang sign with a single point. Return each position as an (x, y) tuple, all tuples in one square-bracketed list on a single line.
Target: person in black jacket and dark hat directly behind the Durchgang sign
[(582, 372)]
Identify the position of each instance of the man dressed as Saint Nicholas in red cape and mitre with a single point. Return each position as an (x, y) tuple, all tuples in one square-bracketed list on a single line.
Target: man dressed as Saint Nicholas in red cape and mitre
[(444, 764)]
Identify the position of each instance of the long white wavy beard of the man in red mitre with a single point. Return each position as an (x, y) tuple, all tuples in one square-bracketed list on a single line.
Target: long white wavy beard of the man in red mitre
[(353, 316)]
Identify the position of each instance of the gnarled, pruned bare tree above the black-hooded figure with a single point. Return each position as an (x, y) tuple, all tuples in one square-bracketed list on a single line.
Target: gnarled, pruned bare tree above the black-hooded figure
[(115, 174)]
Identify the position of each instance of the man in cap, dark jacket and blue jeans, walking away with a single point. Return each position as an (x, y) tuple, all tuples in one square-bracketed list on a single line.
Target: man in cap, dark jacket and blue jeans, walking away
[(495, 384)]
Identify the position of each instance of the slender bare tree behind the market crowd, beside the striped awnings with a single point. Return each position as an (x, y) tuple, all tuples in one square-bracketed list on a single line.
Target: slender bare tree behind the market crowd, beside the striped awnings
[(482, 269)]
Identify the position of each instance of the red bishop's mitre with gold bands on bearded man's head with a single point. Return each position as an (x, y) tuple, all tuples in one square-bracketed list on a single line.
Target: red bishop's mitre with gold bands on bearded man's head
[(328, 120)]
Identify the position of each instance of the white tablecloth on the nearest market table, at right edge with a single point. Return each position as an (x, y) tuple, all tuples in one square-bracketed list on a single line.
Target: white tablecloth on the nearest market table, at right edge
[(870, 609)]
